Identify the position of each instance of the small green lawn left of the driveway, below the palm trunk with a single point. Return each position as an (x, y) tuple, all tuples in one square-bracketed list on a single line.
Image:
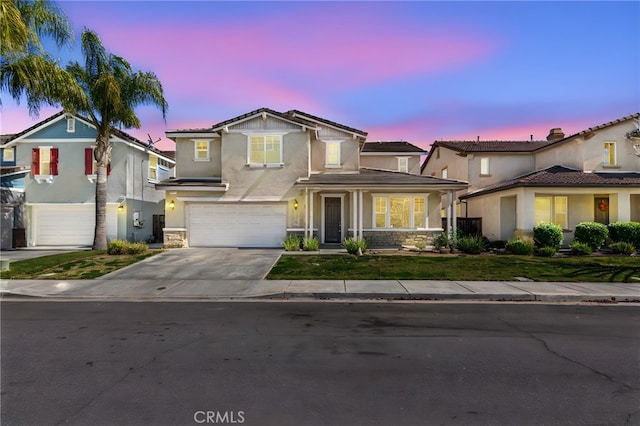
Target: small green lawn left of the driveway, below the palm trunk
[(73, 265)]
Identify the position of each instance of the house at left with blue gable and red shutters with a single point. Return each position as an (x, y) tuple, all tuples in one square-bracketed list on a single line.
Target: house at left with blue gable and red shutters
[(55, 160)]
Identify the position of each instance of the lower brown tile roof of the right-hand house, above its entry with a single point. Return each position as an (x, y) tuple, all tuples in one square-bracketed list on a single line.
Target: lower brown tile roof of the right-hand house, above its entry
[(562, 176)]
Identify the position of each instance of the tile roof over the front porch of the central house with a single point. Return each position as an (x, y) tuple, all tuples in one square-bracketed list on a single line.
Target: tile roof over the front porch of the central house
[(378, 178)]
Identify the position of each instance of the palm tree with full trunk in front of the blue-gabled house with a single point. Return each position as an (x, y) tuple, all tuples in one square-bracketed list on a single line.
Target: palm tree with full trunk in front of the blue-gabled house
[(111, 89)]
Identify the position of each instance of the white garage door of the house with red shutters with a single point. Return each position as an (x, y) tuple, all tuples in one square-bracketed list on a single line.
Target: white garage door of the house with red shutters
[(64, 225)]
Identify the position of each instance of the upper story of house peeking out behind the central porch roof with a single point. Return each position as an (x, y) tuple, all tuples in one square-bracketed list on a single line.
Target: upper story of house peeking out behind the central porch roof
[(395, 156)]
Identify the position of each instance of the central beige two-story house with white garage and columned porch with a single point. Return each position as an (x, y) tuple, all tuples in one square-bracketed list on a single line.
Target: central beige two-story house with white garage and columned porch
[(251, 180)]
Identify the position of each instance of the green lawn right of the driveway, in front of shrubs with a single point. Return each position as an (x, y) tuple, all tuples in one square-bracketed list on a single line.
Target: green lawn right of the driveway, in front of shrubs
[(473, 268)]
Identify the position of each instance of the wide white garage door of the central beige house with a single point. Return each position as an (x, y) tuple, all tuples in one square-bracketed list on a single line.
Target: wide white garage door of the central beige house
[(237, 225)]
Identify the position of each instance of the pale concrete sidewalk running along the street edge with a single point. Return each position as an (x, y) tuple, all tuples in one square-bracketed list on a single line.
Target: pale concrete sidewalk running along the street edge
[(156, 290)]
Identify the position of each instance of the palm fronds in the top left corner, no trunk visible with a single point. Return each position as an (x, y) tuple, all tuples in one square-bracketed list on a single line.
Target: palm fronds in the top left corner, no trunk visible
[(25, 68)]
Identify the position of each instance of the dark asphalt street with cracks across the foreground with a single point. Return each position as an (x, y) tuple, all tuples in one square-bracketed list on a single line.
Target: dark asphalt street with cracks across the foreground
[(320, 363)]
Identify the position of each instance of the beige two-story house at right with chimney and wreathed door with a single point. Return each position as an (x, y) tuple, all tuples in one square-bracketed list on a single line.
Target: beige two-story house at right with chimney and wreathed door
[(593, 175)]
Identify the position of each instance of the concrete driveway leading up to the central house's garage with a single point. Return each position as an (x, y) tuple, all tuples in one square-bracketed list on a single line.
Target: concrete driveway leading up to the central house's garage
[(202, 264)]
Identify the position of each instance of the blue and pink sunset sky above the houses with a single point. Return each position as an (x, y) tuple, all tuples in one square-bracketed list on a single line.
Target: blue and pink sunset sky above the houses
[(414, 71)]
